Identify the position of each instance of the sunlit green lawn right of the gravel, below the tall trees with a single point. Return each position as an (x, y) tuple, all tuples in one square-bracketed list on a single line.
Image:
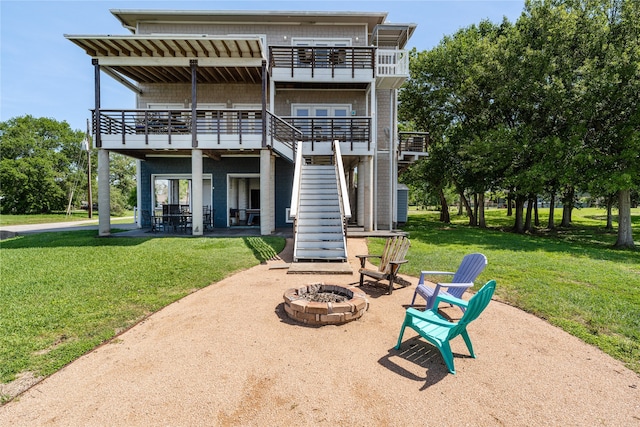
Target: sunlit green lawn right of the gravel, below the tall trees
[(573, 278)]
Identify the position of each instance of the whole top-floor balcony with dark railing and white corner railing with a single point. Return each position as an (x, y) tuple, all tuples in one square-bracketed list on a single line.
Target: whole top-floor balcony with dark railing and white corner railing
[(389, 68)]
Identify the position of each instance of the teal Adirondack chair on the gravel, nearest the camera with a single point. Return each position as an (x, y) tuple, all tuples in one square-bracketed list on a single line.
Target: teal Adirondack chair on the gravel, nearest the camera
[(439, 331)]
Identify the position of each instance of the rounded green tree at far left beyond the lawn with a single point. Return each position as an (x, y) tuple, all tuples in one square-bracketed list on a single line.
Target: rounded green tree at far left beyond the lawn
[(39, 159)]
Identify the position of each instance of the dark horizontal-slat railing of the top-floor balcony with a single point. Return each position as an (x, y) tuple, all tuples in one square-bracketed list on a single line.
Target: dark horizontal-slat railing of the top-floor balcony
[(315, 58)]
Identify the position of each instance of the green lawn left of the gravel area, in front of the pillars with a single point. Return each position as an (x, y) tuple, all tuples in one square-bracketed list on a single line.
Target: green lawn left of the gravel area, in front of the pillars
[(64, 293)]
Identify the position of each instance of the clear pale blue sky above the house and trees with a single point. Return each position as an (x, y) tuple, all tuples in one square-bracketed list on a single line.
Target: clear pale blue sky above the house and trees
[(45, 75)]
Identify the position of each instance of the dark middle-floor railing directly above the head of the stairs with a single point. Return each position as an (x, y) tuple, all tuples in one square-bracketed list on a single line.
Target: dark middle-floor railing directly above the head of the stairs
[(321, 129)]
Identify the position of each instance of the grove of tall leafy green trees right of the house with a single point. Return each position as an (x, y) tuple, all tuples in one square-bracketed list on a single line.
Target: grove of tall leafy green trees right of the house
[(547, 106)]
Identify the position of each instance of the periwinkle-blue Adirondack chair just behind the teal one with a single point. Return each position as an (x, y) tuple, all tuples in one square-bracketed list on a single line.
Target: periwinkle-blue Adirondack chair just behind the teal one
[(469, 269)]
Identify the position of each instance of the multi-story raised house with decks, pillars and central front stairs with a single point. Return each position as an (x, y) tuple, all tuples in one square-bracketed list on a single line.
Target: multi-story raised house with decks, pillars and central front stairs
[(264, 119)]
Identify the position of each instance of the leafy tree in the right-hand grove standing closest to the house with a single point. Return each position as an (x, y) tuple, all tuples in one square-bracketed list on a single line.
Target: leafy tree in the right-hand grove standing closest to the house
[(450, 94)]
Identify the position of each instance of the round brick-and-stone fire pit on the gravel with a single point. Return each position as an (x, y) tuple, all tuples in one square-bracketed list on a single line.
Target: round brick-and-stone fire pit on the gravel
[(320, 304)]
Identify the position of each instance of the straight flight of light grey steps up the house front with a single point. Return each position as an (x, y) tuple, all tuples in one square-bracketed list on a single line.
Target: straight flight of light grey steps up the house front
[(320, 226)]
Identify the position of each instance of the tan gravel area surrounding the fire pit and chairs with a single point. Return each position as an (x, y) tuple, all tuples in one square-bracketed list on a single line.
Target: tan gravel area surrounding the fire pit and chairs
[(228, 355)]
